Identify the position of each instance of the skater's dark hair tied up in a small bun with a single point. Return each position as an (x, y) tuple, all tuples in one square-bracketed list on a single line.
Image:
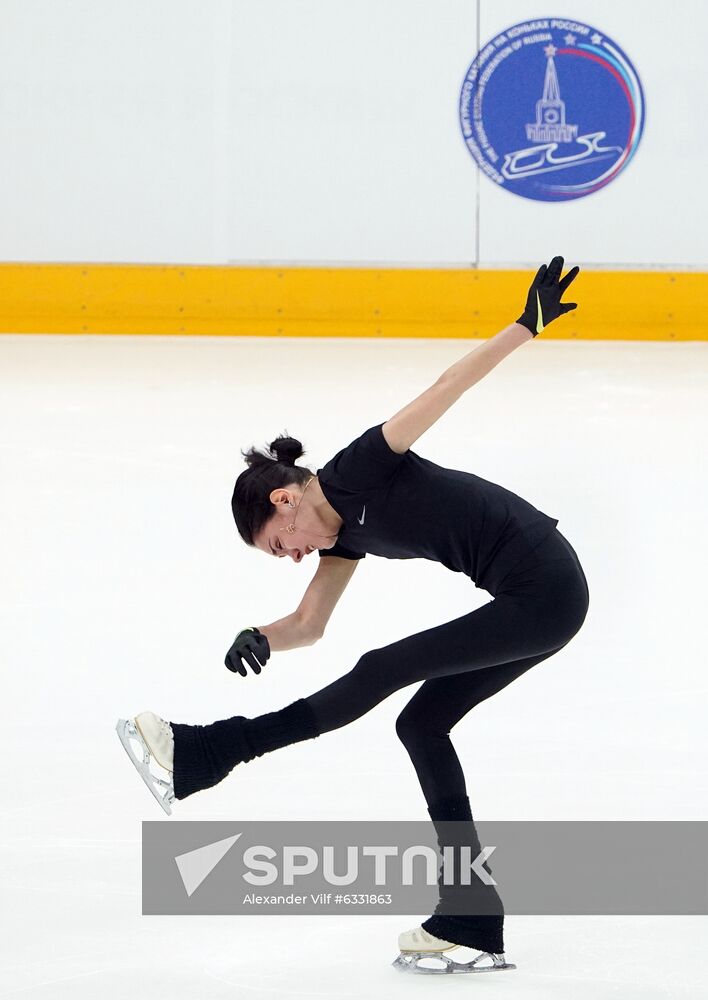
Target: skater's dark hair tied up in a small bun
[(251, 504)]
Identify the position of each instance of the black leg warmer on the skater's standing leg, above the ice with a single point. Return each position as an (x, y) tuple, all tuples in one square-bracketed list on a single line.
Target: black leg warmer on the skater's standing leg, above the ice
[(470, 915)]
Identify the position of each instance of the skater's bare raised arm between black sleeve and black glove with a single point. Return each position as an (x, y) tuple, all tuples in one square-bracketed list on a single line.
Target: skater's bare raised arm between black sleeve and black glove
[(410, 423)]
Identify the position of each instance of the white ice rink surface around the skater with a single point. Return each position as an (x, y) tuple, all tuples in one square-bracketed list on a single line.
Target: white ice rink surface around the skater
[(125, 582)]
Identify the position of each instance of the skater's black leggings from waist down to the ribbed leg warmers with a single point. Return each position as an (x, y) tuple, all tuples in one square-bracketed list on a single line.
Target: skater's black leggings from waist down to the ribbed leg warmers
[(539, 609)]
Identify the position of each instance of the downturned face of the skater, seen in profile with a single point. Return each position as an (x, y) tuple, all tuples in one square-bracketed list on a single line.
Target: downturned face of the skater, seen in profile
[(315, 526)]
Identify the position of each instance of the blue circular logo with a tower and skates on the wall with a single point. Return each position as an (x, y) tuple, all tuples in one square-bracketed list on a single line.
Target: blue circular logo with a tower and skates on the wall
[(552, 109)]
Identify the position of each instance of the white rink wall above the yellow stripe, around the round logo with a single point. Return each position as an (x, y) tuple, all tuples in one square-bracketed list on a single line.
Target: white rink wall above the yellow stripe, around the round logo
[(313, 131)]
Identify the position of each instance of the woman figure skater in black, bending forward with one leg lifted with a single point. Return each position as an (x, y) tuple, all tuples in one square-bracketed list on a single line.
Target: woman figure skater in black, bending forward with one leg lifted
[(376, 496)]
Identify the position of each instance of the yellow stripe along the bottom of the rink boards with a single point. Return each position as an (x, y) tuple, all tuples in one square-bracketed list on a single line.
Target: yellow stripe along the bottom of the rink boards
[(340, 302)]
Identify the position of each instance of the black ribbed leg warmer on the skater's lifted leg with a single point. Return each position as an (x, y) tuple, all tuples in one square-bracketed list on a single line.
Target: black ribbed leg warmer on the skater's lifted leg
[(204, 755)]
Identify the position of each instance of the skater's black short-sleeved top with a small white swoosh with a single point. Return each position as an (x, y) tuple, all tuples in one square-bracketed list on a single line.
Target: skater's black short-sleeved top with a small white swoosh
[(406, 507)]
